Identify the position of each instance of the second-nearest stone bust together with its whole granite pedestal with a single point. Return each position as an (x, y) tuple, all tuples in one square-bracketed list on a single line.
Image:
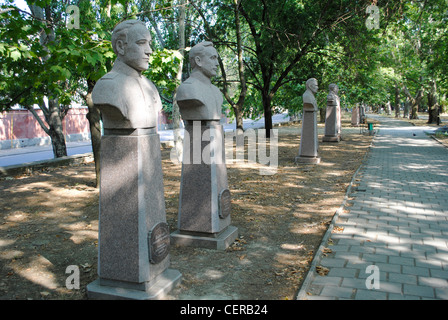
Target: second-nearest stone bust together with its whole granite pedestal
[(204, 198)]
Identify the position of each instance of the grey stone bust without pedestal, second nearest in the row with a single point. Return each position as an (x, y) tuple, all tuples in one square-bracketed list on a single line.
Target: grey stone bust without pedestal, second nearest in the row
[(197, 97)]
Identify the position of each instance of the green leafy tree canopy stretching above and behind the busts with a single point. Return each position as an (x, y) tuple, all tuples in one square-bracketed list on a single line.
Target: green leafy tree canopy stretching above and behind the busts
[(268, 49)]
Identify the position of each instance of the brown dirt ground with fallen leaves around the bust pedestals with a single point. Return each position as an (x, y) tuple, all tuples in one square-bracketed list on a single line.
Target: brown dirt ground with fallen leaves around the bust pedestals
[(49, 222)]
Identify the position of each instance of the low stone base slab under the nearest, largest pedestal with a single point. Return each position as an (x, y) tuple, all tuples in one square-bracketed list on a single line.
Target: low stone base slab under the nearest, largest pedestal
[(156, 289)]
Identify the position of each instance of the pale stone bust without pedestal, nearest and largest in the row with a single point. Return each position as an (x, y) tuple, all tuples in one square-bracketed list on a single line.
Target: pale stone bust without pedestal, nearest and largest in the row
[(126, 98)]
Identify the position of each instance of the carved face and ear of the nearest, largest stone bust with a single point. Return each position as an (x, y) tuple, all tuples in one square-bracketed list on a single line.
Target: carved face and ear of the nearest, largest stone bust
[(135, 53)]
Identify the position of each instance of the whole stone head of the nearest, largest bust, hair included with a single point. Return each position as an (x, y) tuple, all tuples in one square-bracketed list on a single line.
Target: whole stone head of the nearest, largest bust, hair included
[(131, 43)]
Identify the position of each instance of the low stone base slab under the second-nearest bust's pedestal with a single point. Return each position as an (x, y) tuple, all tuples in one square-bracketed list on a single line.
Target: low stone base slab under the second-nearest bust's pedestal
[(216, 241)]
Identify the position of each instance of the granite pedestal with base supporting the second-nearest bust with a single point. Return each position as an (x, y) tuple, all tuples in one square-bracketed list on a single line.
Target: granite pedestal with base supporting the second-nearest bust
[(204, 200)]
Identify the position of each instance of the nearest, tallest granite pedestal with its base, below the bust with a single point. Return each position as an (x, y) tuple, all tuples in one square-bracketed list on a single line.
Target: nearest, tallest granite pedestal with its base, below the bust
[(134, 238)]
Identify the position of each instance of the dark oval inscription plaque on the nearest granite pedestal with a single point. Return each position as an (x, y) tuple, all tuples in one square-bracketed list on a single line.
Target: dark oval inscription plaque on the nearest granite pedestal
[(159, 242)]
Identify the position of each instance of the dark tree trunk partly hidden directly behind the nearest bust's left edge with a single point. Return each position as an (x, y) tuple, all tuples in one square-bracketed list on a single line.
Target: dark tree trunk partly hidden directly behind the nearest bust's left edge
[(94, 118)]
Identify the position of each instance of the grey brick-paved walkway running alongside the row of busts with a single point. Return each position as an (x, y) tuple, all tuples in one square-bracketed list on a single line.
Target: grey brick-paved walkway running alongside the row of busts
[(391, 241)]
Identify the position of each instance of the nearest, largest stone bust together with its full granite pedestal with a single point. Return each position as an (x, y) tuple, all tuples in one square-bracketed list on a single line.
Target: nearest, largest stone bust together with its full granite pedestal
[(134, 238)]
